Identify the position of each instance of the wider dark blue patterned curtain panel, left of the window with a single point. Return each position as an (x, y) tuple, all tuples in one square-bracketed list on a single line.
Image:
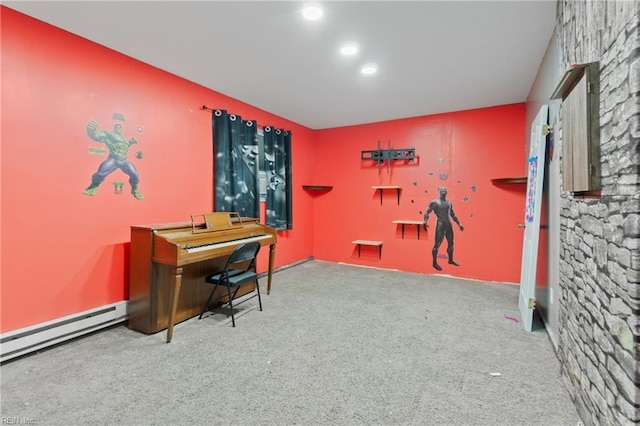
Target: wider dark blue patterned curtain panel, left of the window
[(235, 159)]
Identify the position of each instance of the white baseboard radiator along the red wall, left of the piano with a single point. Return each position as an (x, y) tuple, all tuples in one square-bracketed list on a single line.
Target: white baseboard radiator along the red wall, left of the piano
[(30, 339)]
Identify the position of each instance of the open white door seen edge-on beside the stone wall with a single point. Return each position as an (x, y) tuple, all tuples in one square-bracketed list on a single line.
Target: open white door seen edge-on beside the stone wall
[(533, 203)]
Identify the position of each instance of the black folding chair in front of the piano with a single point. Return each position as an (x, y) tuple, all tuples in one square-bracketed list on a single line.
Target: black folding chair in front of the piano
[(234, 275)]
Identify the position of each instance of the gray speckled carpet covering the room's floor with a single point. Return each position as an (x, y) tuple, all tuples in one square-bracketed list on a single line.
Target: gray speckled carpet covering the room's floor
[(335, 345)]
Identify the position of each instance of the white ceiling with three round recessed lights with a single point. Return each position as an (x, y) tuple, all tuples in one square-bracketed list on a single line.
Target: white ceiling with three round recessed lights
[(433, 56)]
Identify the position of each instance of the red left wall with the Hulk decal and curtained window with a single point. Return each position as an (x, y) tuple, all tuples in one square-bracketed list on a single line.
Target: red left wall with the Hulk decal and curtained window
[(62, 251)]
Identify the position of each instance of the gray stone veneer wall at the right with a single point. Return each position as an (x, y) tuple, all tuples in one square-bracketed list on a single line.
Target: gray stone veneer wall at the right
[(599, 305)]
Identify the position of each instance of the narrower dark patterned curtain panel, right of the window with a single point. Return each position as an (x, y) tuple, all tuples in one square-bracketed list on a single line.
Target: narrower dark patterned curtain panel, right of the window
[(277, 153)]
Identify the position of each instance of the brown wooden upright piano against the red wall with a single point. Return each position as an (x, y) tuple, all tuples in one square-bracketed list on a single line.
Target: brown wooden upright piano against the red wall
[(170, 261)]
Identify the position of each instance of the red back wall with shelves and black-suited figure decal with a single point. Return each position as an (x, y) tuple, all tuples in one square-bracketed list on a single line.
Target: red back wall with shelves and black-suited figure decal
[(462, 151)]
